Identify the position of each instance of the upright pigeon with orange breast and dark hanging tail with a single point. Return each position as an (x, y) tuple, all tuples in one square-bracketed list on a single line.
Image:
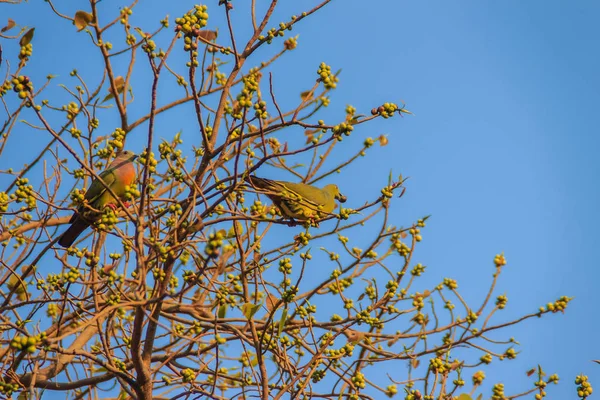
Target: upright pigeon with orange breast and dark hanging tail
[(119, 174)]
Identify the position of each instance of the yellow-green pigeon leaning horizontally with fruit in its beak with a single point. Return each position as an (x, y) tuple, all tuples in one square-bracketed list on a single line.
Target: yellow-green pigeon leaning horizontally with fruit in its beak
[(298, 200)]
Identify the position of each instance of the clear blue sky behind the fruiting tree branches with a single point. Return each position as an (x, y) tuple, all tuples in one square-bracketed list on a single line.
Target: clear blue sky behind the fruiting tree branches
[(501, 150)]
